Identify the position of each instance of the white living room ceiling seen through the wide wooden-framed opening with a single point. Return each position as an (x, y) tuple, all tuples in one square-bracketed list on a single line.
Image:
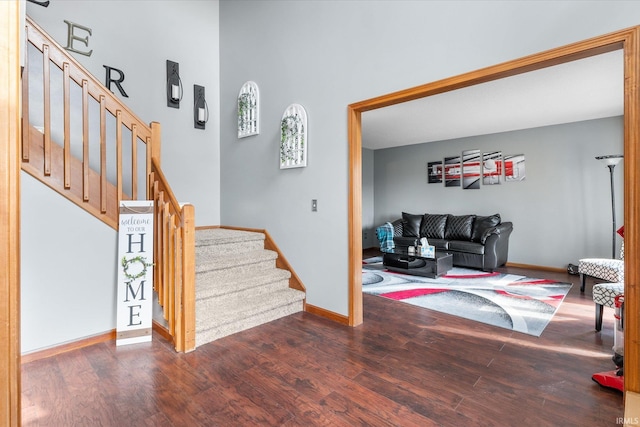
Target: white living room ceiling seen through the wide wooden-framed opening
[(586, 89)]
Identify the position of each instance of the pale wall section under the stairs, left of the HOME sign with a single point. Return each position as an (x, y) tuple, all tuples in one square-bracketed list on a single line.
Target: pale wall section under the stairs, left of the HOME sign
[(68, 270)]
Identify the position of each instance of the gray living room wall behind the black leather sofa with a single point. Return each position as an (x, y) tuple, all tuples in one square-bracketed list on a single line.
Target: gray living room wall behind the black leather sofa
[(561, 212)]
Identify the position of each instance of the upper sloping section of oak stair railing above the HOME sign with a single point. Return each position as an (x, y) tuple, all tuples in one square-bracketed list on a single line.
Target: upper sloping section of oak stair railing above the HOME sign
[(98, 185)]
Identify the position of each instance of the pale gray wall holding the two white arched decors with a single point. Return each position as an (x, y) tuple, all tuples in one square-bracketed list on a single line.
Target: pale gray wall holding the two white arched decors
[(326, 55)]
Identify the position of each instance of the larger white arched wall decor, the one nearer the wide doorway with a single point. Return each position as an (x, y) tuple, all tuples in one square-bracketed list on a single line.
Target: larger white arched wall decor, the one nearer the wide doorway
[(293, 137)]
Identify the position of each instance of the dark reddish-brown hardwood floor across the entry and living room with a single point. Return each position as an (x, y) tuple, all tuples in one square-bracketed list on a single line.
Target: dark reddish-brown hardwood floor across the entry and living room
[(405, 366)]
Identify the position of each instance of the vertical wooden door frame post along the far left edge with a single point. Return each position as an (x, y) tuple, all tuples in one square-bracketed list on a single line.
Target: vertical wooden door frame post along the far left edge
[(10, 388)]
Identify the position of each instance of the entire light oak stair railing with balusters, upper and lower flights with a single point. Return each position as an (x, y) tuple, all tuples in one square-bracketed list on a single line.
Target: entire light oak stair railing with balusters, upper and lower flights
[(96, 166)]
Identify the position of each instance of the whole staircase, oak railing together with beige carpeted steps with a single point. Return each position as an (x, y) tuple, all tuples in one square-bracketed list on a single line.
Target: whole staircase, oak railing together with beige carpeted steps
[(210, 283)]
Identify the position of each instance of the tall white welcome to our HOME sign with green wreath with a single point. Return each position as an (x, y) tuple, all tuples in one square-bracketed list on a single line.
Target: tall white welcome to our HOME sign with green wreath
[(135, 272)]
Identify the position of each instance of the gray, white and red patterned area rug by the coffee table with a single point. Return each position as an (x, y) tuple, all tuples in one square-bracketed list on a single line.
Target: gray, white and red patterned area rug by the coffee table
[(510, 301)]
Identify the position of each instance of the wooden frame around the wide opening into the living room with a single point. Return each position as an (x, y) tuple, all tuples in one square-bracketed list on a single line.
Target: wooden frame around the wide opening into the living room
[(627, 40)]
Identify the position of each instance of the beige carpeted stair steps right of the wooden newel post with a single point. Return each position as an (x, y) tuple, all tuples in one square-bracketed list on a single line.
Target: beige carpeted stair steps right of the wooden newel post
[(238, 285)]
